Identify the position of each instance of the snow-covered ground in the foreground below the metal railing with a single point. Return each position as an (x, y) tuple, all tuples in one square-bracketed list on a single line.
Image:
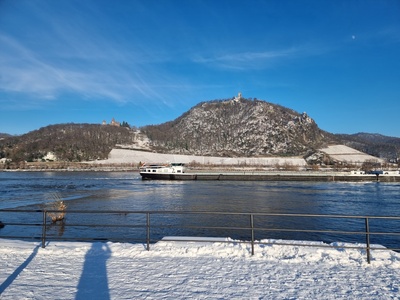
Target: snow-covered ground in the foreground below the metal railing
[(198, 270)]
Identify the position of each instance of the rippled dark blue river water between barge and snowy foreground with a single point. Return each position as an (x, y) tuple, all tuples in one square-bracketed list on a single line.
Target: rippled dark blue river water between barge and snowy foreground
[(121, 191)]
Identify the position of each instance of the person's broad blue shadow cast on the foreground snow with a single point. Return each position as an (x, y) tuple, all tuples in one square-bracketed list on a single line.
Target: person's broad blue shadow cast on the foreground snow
[(93, 283)]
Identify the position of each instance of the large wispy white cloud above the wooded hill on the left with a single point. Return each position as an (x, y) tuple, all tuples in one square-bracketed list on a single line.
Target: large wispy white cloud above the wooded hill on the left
[(26, 71)]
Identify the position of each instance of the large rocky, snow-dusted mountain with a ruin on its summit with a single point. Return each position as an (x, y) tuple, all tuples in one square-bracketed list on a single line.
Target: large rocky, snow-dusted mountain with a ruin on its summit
[(238, 127)]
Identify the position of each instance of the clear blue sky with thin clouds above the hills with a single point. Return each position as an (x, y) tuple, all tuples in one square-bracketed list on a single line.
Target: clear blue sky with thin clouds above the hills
[(147, 62)]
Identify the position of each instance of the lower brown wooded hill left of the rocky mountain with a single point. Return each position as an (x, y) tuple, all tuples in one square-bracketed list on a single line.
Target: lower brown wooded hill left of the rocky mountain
[(69, 142)]
